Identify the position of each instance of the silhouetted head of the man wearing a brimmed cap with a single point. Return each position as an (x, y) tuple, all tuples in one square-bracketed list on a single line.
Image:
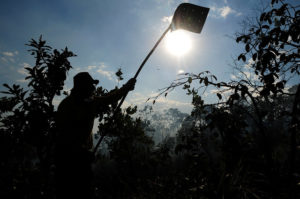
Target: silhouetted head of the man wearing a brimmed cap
[(84, 84)]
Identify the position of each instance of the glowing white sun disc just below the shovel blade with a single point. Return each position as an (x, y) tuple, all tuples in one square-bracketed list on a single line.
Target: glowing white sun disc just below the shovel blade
[(178, 42)]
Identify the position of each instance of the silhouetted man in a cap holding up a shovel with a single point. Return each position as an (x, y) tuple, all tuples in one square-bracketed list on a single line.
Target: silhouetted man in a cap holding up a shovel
[(75, 120)]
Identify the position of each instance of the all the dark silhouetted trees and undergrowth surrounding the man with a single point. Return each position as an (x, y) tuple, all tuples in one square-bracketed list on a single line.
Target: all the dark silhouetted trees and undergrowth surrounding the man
[(244, 146)]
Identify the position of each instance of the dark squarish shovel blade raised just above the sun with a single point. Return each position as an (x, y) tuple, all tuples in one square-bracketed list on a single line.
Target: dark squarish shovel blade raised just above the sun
[(189, 17)]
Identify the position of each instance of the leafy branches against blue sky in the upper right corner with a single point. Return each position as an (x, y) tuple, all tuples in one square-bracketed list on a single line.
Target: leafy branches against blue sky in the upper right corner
[(273, 45)]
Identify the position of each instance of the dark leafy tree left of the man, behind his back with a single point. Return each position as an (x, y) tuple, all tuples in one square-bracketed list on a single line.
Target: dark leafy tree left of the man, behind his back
[(27, 122)]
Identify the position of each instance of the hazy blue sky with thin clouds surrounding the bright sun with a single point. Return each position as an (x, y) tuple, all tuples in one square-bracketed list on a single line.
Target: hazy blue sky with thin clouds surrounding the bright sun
[(111, 34)]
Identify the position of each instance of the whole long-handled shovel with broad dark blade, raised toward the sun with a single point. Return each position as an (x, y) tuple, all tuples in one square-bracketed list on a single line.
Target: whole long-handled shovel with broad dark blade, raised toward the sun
[(188, 17)]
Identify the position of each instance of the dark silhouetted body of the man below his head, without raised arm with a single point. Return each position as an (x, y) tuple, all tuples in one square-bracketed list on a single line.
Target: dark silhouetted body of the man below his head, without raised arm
[(74, 138)]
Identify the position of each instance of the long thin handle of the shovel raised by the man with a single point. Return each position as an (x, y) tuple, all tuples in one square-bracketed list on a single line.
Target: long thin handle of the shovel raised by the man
[(135, 76)]
